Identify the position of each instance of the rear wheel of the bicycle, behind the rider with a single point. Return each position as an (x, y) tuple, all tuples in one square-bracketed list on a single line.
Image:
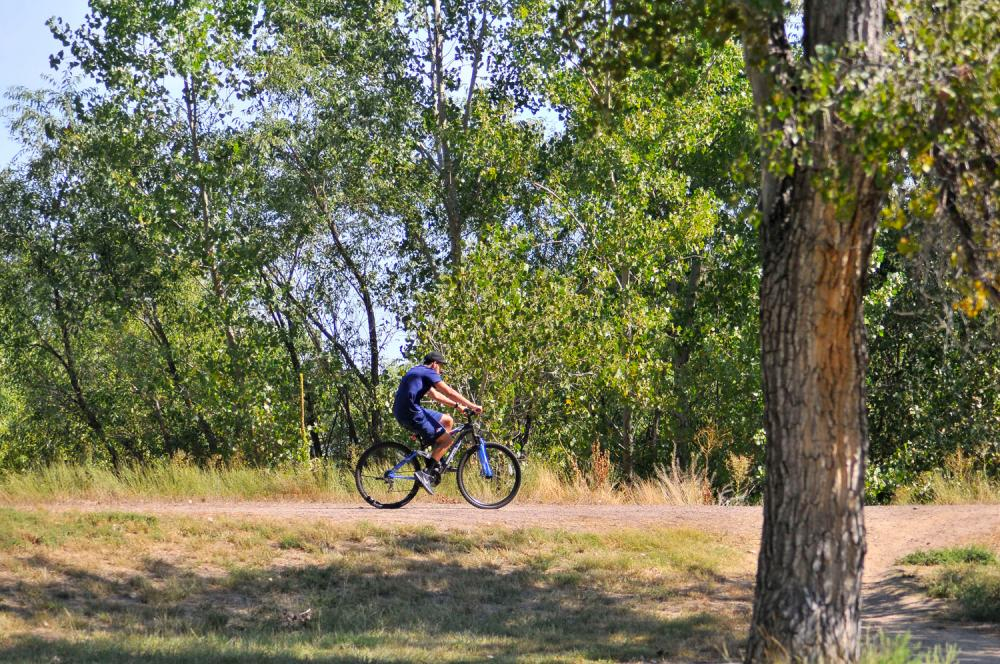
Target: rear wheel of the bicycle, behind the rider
[(376, 481)]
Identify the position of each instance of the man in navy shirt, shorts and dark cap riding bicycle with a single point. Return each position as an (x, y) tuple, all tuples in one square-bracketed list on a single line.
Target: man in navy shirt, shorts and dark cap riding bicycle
[(431, 427)]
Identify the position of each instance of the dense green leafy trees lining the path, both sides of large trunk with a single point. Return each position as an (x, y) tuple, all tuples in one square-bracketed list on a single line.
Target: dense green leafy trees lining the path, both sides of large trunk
[(219, 251)]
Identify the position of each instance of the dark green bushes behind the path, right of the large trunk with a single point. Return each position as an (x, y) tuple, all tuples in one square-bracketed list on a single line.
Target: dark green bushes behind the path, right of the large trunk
[(933, 381)]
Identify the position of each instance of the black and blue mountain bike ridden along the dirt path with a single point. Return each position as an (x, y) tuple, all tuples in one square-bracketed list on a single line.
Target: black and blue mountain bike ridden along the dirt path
[(488, 474)]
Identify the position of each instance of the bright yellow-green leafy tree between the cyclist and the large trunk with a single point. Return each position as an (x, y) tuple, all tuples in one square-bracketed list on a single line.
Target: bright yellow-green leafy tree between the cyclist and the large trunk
[(602, 318)]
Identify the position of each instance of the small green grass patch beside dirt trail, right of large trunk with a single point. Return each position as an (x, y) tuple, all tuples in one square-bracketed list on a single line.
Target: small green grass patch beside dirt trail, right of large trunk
[(969, 576)]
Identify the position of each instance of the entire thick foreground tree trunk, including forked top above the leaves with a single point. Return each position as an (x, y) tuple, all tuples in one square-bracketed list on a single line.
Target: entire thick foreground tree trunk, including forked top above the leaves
[(815, 249)]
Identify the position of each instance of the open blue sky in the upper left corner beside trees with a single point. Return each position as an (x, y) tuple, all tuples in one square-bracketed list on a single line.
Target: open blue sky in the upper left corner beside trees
[(25, 45)]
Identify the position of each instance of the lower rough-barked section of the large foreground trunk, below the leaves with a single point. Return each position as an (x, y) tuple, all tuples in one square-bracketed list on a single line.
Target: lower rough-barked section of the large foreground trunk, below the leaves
[(807, 603)]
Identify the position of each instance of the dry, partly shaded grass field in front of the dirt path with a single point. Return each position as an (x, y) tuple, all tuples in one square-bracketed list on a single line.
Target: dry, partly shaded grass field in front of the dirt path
[(116, 587)]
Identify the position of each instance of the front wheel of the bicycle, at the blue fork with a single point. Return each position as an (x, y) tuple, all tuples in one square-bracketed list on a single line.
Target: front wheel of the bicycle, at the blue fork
[(489, 477)]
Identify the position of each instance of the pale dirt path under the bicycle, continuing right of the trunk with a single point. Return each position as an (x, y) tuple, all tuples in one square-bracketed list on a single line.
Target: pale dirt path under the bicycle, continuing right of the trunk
[(892, 602)]
